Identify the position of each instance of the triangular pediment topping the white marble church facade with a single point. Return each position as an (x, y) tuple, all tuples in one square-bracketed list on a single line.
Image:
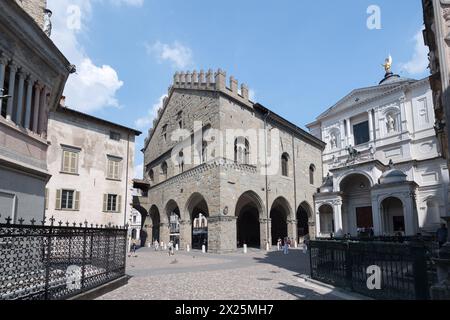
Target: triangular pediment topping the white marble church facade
[(362, 95)]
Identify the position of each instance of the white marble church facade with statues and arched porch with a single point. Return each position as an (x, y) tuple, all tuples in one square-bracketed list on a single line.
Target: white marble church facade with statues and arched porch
[(383, 165)]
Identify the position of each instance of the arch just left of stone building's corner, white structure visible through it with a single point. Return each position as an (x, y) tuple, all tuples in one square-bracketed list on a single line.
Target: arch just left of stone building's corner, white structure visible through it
[(198, 210)]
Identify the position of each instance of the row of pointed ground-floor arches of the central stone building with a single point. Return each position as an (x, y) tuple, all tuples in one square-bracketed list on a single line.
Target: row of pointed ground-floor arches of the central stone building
[(191, 226)]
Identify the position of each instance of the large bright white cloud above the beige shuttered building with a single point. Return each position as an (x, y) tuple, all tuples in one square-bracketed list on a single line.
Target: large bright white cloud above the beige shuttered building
[(92, 87)]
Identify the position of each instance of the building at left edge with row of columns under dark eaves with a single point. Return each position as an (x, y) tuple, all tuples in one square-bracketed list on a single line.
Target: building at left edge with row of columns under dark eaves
[(33, 73)]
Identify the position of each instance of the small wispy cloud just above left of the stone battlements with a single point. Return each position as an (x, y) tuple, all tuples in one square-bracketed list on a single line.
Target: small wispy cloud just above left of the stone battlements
[(179, 55)]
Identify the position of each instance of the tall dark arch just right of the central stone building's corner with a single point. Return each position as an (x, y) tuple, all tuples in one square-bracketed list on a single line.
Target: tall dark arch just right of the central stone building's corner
[(248, 212)]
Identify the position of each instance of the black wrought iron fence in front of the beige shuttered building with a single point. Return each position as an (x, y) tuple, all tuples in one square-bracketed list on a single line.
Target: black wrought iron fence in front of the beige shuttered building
[(52, 262)]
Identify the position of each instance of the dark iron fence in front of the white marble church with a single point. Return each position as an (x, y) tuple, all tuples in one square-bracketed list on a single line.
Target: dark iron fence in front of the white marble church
[(404, 270)]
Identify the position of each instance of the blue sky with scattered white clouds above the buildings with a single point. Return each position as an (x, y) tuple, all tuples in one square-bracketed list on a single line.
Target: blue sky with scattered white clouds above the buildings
[(297, 57)]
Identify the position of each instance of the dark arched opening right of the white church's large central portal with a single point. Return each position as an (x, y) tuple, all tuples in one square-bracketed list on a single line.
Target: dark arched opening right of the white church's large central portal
[(393, 216)]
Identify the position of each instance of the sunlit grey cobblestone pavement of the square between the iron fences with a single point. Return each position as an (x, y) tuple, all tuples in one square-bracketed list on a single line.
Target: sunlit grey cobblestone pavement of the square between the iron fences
[(257, 275)]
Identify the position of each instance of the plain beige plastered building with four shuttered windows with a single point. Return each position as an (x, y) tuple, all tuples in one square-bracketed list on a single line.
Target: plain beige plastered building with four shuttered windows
[(92, 166)]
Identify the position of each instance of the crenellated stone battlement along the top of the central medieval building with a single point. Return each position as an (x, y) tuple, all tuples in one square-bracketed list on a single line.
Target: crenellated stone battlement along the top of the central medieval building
[(211, 81)]
